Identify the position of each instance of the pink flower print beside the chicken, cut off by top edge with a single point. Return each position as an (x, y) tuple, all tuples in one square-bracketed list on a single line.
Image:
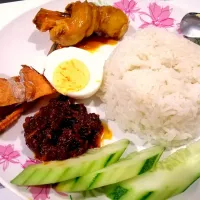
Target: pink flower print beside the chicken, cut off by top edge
[(128, 6)]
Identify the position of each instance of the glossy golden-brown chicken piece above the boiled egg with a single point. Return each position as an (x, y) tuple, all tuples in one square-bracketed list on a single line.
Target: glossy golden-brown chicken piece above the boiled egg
[(82, 19)]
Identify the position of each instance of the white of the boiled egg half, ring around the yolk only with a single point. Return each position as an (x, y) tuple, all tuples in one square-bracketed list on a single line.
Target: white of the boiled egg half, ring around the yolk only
[(94, 63)]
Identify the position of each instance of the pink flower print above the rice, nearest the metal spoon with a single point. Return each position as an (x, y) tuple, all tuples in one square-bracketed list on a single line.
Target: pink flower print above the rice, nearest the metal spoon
[(157, 16)]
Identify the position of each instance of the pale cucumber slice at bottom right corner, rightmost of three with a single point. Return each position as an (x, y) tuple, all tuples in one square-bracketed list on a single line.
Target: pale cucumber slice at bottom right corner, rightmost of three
[(170, 177)]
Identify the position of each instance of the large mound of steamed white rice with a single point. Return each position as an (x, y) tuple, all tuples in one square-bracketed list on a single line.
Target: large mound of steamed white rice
[(151, 86)]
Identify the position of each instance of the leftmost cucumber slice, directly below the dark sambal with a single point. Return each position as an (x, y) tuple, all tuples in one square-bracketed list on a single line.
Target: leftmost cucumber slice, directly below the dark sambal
[(57, 171)]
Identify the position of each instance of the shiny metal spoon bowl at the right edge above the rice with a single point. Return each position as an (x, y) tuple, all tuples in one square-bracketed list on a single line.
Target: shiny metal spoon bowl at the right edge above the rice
[(190, 25)]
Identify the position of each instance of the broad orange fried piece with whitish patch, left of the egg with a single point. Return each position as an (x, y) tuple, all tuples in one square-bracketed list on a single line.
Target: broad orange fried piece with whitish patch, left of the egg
[(28, 86)]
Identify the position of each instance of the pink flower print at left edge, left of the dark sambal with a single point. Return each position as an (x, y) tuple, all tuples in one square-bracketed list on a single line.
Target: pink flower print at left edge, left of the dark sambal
[(8, 155)]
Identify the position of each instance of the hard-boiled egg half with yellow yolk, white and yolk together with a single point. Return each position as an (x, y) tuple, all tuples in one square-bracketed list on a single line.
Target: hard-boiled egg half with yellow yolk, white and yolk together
[(74, 72)]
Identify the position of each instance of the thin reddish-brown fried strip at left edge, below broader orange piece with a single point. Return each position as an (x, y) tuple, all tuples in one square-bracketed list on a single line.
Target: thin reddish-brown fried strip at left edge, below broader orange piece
[(11, 118)]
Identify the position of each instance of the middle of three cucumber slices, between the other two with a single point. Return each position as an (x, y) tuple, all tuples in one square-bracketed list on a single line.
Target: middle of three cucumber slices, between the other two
[(136, 163)]
